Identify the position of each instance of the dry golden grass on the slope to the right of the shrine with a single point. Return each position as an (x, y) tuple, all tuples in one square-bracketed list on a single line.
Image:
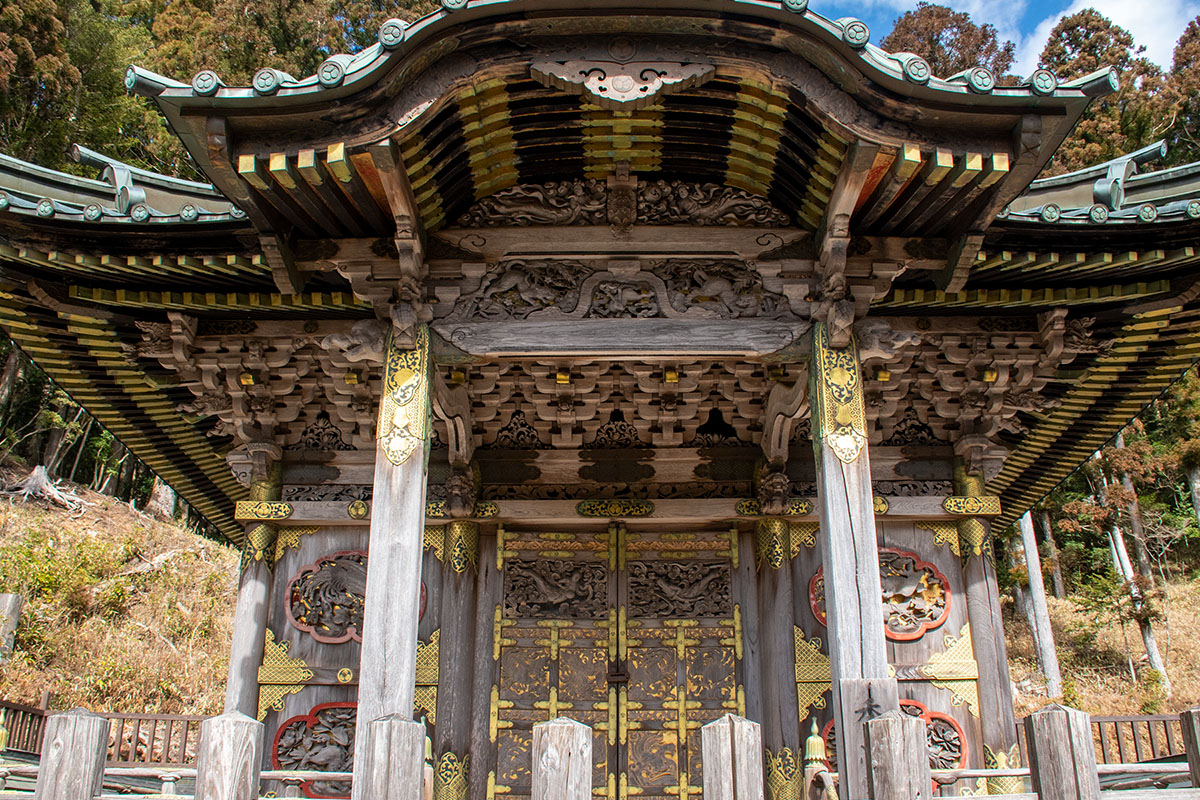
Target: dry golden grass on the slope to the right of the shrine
[(1095, 664)]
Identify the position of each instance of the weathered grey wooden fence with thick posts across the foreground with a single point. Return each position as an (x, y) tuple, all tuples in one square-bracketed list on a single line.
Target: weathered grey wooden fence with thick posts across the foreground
[(392, 767)]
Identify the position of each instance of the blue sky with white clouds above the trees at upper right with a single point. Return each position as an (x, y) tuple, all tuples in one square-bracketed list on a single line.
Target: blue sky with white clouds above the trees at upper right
[(1028, 23)]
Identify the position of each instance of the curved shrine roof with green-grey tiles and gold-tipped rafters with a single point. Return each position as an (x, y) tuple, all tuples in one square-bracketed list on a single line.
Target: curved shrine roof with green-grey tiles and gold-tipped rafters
[(487, 99)]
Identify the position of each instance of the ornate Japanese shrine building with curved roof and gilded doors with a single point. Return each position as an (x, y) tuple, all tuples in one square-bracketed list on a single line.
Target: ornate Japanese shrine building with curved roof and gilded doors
[(613, 362)]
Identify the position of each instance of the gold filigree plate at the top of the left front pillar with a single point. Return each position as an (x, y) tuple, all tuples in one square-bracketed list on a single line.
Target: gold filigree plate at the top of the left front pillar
[(405, 406)]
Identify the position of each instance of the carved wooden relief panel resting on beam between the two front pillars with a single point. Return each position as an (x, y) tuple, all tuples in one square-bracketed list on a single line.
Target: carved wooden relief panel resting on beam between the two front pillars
[(562, 290)]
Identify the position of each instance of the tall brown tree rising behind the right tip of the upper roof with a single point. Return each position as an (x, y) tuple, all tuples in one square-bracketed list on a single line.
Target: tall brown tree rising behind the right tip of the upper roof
[(1117, 124)]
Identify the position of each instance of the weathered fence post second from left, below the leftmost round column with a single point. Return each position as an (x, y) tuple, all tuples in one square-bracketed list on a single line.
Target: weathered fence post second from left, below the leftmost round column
[(230, 759)]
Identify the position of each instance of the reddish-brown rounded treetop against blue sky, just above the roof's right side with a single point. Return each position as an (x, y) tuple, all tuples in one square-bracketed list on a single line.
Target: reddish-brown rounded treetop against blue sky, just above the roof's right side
[(950, 41)]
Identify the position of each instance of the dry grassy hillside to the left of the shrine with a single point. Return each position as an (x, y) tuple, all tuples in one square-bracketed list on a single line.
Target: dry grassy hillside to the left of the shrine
[(123, 613)]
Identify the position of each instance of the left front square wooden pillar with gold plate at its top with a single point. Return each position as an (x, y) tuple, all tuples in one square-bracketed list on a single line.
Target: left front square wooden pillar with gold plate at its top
[(388, 666)]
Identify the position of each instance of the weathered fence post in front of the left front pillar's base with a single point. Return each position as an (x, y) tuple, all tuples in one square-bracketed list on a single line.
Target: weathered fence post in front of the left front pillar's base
[(393, 760)]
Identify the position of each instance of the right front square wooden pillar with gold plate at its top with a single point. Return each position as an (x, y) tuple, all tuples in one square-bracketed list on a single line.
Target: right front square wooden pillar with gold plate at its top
[(859, 660)]
